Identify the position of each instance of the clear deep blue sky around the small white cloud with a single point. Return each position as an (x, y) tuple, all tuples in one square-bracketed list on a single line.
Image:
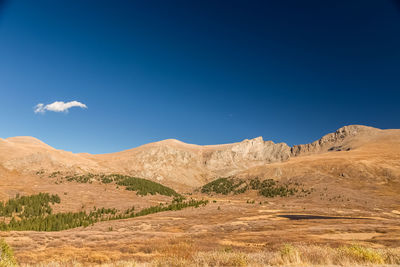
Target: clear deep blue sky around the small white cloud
[(204, 72)]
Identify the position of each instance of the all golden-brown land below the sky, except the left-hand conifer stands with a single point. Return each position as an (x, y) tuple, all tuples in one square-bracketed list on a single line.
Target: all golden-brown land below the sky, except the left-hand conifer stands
[(332, 202)]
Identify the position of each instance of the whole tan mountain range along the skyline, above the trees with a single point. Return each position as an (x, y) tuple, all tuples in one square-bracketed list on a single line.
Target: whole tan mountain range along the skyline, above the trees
[(356, 148)]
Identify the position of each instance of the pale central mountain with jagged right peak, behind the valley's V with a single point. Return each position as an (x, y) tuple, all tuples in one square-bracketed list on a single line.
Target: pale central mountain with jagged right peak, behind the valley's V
[(179, 163)]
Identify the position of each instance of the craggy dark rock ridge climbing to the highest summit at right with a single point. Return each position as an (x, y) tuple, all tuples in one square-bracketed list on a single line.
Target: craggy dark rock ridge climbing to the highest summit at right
[(341, 140)]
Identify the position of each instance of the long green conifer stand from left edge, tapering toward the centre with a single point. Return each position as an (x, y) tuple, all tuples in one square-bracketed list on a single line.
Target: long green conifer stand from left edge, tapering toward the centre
[(44, 220)]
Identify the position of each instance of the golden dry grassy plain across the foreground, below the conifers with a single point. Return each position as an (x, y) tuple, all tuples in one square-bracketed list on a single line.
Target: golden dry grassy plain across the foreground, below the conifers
[(229, 231)]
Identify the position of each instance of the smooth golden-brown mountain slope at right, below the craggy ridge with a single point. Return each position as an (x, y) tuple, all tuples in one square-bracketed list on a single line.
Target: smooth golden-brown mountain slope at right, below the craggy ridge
[(369, 162)]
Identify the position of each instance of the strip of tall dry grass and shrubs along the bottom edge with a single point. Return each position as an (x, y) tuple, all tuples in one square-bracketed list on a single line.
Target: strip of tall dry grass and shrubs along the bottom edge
[(183, 253)]
